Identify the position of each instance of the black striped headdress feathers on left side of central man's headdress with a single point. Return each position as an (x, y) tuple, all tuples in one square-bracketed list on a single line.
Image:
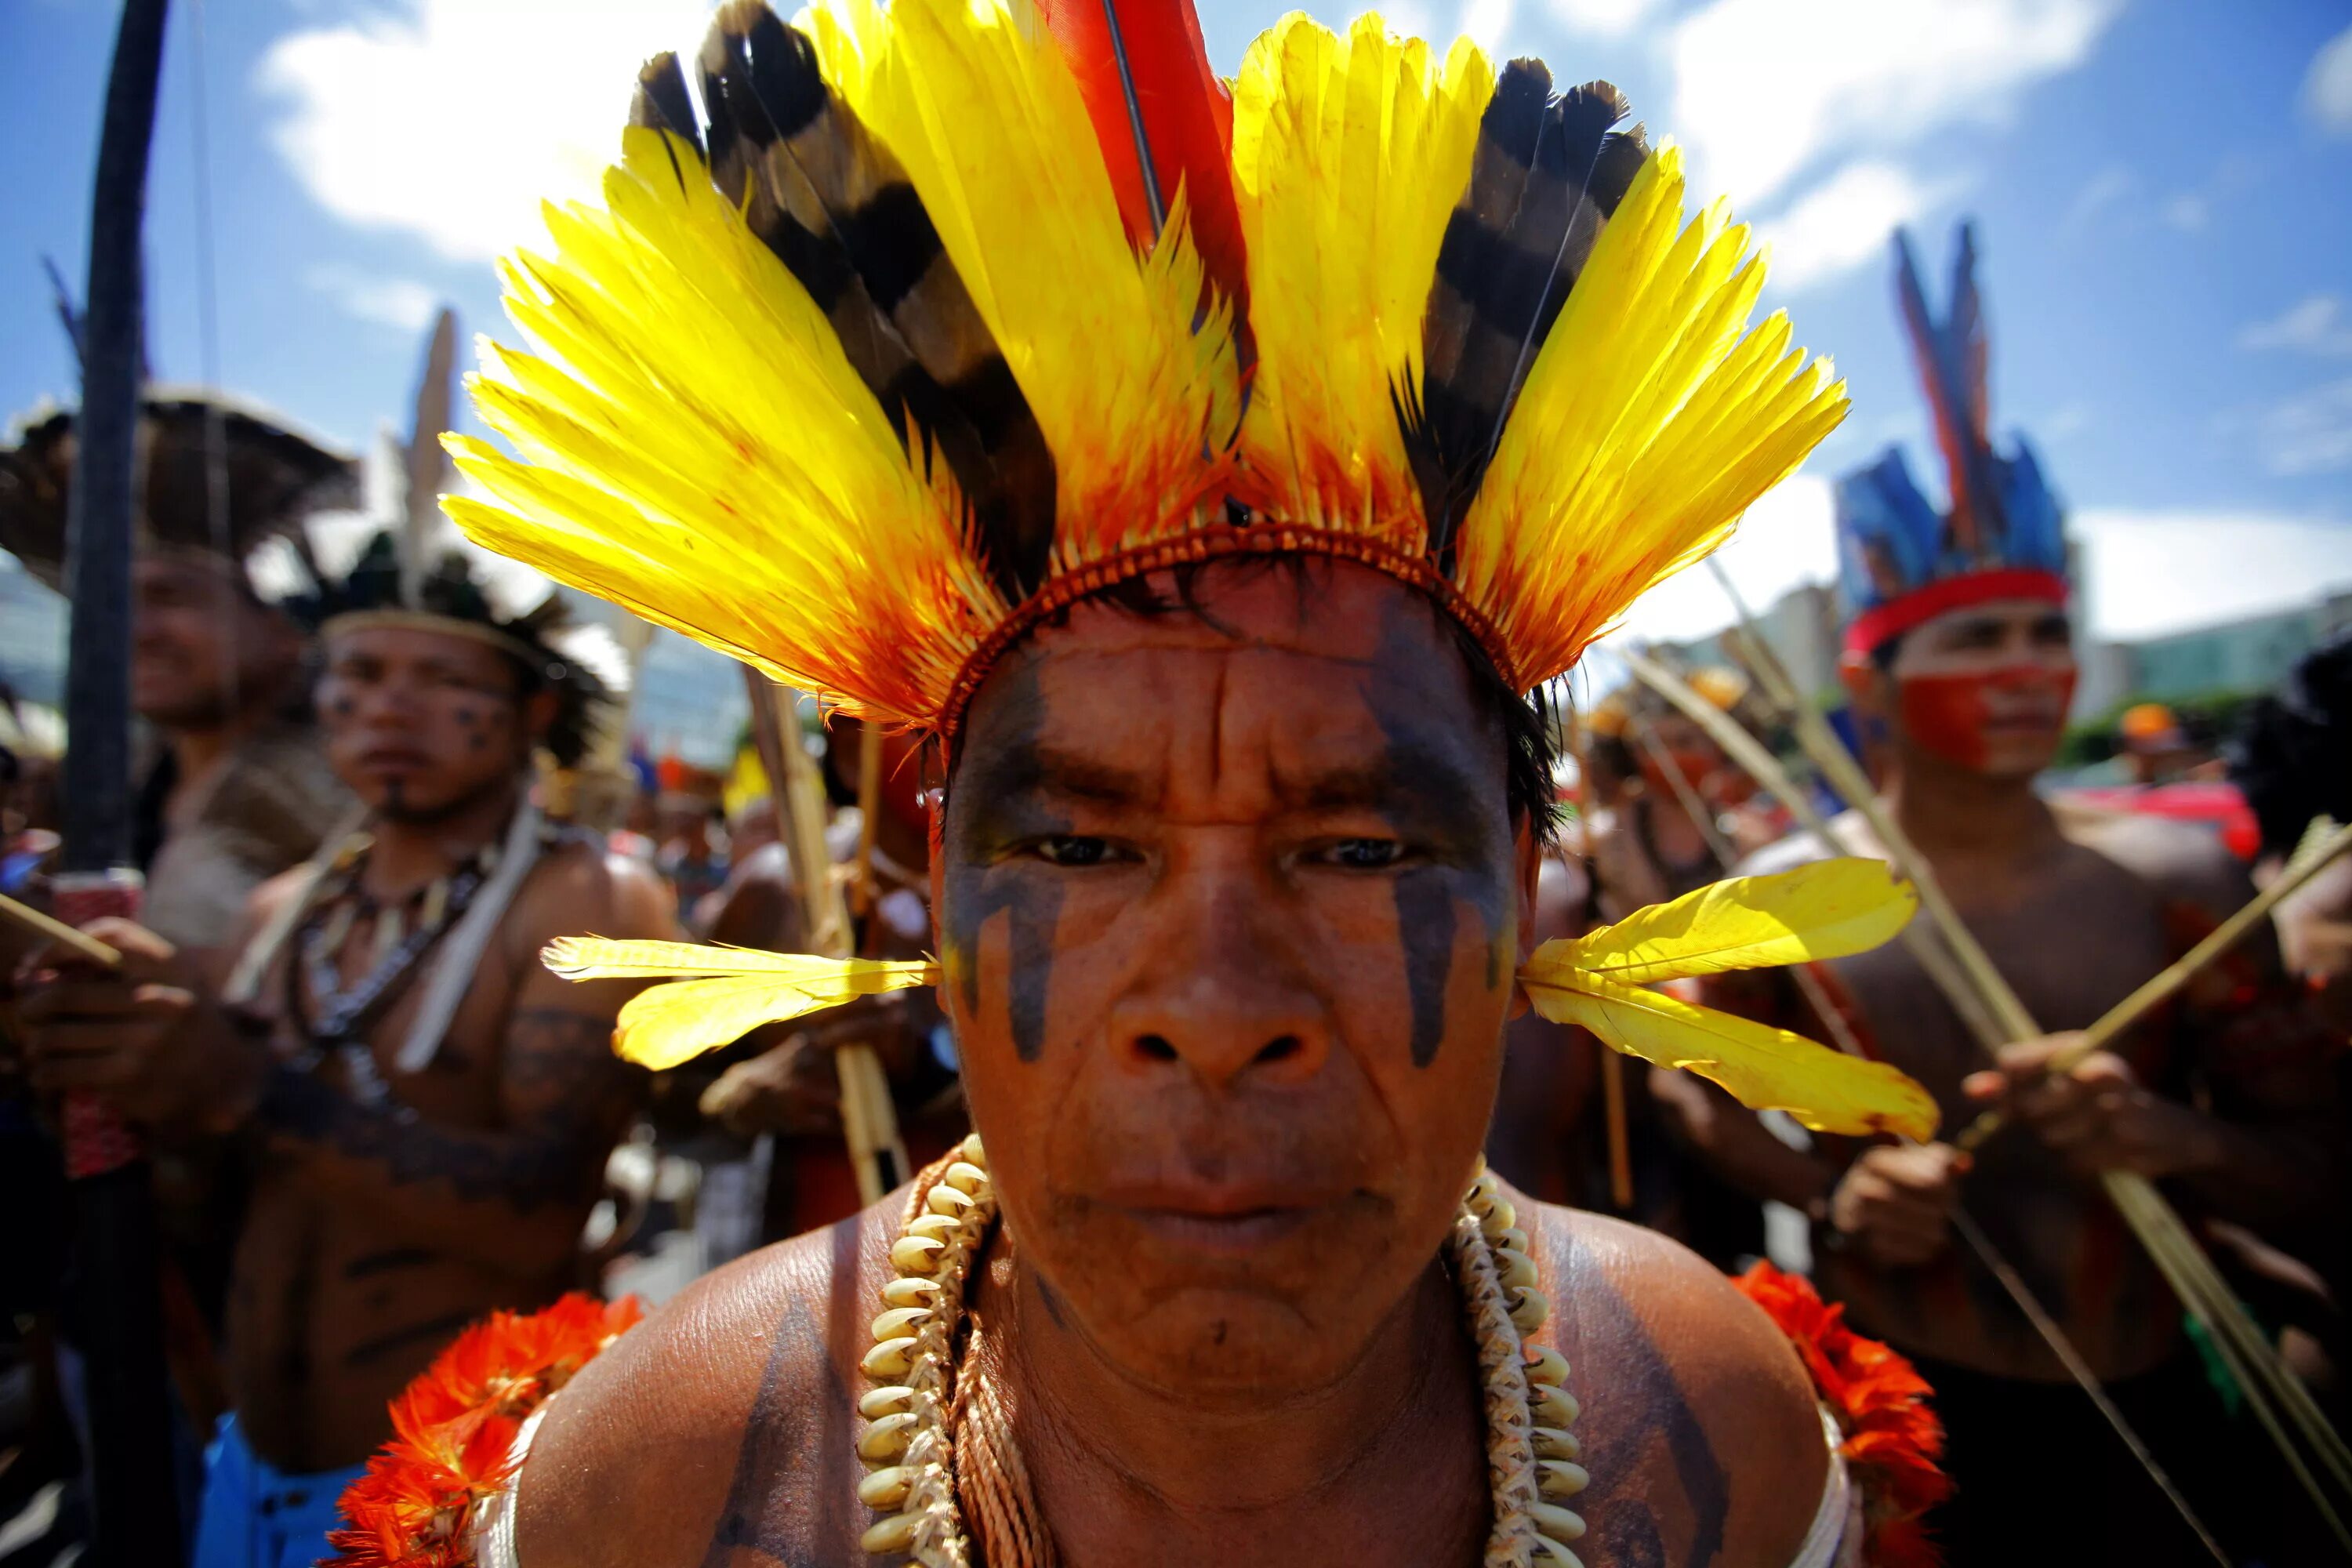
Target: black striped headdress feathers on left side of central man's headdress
[(841, 213)]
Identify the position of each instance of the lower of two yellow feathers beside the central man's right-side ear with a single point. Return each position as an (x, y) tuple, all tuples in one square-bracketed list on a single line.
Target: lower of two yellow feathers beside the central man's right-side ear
[(1758, 1066)]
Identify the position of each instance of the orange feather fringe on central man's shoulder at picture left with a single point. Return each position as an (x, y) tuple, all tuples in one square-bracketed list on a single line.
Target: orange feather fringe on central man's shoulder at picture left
[(455, 1433)]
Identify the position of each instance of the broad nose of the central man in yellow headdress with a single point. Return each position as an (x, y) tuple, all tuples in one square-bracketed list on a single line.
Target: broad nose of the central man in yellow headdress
[(1224, 989)]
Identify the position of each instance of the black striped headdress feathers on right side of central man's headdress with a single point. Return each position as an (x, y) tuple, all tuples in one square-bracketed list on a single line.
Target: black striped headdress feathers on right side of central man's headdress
[(1544, 180)]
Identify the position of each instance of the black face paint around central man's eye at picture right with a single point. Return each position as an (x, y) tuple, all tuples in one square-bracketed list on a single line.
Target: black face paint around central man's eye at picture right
[(1462, 869)]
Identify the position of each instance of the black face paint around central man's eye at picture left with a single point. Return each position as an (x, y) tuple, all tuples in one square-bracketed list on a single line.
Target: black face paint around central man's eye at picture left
[(980, 885)]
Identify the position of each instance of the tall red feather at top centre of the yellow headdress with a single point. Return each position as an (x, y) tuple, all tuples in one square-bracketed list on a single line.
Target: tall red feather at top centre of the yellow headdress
[(1187, 121)]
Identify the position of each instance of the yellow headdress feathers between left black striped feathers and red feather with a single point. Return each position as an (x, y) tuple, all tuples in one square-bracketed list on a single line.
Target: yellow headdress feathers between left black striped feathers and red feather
[(980, 105)]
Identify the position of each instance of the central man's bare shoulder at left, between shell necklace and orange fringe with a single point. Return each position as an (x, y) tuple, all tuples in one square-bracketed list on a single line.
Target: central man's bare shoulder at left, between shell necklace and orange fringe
[(723, 1428)]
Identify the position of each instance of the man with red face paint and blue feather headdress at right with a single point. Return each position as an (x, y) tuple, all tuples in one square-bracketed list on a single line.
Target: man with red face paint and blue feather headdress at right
[(1960, 657)]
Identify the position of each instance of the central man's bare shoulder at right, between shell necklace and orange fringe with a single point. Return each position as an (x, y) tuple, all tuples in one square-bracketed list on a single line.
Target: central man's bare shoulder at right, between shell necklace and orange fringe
[(1699, 1423)]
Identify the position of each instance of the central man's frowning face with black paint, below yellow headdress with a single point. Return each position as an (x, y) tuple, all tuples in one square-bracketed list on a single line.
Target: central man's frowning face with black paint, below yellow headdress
[(1231, 974)]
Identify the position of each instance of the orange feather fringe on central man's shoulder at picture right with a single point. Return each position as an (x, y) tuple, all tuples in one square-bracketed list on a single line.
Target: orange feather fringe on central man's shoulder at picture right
[(1895, 1440)]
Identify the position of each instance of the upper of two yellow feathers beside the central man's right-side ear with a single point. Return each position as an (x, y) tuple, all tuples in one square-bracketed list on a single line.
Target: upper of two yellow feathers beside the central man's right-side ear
[(1819, 911)]
